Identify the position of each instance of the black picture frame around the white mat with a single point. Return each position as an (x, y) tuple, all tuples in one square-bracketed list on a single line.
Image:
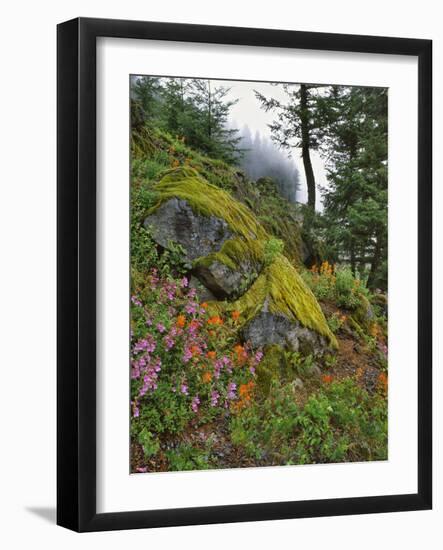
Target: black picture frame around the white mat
[(76, 265)]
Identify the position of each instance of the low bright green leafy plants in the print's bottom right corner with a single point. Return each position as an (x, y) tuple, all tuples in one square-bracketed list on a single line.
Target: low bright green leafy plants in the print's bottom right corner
[(340, 422)]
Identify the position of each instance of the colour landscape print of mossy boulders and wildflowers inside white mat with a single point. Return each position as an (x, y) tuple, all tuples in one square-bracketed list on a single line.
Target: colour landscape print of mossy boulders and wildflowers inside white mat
[(259, 273)]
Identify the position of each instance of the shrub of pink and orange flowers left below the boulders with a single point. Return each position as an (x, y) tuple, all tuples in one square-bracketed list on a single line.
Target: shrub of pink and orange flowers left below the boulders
[(186, 365)]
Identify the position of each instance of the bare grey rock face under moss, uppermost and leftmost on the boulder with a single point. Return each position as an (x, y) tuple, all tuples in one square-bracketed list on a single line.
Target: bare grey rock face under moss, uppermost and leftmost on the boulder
[(175, 221)]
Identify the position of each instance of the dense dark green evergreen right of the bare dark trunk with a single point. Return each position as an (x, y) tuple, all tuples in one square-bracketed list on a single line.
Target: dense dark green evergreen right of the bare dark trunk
[(355, 148)]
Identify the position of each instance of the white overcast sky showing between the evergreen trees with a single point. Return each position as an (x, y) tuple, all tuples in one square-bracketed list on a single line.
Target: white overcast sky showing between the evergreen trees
[(248, 112)]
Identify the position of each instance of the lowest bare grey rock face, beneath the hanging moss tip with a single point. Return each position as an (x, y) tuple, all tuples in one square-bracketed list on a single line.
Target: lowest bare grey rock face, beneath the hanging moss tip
[(269, 328)]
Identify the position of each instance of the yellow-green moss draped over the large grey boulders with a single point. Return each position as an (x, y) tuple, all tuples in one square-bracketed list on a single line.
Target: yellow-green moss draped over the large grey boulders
[(279, 282)]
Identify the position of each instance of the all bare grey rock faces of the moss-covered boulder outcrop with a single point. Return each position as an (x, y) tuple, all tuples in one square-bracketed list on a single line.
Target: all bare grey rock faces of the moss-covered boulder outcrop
[(175, 221)]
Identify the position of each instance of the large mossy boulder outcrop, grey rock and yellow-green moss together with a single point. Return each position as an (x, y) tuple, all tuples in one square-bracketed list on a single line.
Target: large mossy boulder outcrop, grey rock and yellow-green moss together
[(228, 251)]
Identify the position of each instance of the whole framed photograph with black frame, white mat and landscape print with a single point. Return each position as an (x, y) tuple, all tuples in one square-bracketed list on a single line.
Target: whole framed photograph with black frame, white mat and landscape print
[(244, 274)]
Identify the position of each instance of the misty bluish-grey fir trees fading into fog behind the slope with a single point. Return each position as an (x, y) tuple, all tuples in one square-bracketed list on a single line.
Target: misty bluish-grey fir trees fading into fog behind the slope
[(262, 158)]
